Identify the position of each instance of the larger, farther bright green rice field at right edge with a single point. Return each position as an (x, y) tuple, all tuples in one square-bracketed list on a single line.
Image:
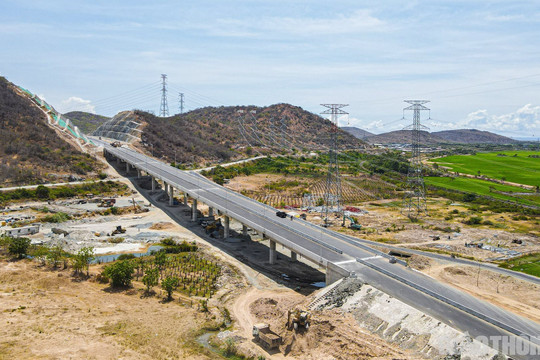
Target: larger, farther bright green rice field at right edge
[(514, 166)]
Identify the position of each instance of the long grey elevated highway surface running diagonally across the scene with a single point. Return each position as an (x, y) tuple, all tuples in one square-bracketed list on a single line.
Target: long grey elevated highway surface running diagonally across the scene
[(326, 247)]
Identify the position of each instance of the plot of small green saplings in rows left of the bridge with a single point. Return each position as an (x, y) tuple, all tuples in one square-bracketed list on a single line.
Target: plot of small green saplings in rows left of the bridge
[(197, 276)]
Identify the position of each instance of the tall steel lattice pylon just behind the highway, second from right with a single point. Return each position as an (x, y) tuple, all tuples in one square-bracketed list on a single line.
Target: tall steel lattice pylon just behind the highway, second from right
[(332, 195)]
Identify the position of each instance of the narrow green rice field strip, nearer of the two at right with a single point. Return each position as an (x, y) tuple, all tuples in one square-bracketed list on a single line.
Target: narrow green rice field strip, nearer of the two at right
[(484, 187)]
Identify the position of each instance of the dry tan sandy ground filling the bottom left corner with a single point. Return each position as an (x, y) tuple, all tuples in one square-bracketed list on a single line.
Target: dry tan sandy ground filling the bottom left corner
[(48, 315)]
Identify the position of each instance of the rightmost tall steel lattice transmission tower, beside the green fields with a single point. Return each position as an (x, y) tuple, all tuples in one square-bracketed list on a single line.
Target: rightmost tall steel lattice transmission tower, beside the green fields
[(414, 201)]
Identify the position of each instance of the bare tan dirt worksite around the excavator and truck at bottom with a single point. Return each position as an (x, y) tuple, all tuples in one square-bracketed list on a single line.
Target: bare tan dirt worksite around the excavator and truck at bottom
[(332, 334)]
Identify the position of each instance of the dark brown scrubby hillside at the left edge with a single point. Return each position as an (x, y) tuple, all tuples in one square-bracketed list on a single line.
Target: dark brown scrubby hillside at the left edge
[(31, 151)]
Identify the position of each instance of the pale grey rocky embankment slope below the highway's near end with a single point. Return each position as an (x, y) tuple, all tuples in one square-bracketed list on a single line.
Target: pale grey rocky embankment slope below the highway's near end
[(400, 323)]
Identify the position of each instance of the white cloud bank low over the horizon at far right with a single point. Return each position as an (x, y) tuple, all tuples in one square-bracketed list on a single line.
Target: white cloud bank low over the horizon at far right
[(525, 120)]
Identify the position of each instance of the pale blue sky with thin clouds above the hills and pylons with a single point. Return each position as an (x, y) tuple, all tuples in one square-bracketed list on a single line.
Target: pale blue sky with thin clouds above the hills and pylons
[(478, 62)]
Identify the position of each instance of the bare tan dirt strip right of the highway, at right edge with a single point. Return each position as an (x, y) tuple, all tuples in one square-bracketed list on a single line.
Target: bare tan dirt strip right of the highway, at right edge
[(518, 296)]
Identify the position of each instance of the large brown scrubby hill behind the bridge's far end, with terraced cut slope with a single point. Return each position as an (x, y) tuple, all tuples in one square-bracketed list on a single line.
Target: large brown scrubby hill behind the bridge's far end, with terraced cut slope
[(218, 134)]
